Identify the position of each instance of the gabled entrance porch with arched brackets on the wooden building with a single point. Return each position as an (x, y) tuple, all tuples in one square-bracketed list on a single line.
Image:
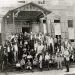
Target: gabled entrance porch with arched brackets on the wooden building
[(27, 18)]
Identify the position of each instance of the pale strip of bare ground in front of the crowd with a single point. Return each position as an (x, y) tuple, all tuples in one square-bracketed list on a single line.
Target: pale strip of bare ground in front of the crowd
[(50, 72)]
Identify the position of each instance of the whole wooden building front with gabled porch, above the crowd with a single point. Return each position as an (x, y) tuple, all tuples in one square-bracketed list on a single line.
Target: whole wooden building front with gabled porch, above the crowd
[(33, 17)]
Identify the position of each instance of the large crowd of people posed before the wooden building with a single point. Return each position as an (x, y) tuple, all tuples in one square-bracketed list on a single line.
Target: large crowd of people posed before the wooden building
[(28, 50)]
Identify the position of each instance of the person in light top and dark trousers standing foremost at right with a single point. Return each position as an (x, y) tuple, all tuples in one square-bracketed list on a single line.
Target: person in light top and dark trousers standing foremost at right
[(67, 58)]
